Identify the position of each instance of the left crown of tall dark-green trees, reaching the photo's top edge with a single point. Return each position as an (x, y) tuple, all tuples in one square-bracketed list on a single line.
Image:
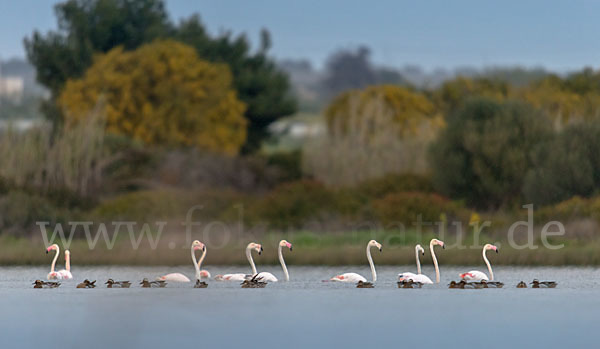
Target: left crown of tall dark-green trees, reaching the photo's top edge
[(88, 27)]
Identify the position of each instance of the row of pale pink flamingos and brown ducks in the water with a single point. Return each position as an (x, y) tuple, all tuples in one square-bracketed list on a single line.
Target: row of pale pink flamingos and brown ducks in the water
[(473, 279)]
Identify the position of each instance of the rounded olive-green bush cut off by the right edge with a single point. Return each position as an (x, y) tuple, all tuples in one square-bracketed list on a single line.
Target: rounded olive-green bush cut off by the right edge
[(565, 166)]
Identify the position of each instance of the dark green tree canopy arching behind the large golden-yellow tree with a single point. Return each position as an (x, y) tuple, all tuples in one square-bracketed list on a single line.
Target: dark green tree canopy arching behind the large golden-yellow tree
[(87, 27)]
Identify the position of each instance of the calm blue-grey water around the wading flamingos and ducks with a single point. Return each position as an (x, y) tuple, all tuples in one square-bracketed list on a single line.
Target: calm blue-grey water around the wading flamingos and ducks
[(303, 312)]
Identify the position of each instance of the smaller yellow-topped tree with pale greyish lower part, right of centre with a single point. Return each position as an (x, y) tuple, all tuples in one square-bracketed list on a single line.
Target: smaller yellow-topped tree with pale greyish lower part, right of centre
[(371, 133)]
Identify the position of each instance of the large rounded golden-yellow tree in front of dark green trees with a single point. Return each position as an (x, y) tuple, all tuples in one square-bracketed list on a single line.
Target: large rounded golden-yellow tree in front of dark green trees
[(161, 93)]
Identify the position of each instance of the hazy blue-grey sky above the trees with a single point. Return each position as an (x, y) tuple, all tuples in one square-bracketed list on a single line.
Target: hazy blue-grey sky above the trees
[(558, 35)]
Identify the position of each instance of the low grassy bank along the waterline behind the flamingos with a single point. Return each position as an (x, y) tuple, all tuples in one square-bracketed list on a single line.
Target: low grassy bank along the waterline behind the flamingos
[(309, 249)]
